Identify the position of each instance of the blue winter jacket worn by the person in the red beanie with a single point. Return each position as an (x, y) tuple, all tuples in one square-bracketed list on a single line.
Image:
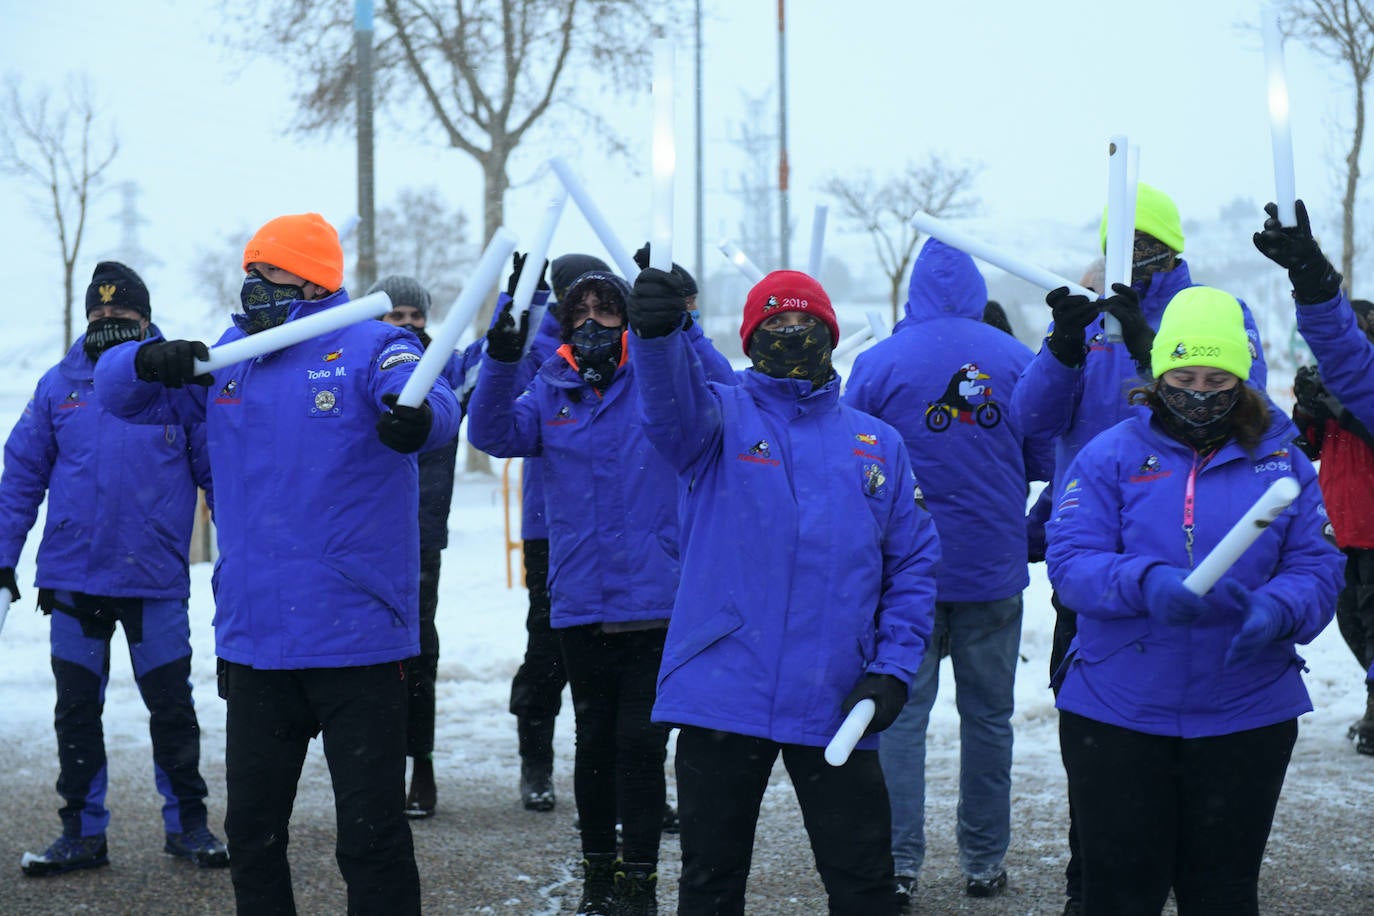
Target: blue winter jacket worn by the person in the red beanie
[(806, 560)]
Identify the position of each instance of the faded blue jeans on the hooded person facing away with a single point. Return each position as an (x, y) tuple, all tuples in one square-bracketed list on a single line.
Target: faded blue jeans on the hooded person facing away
[(983, 641)]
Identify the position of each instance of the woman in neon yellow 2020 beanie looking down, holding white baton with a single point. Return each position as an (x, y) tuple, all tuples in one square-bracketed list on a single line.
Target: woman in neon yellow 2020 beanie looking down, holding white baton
[(1180, 712)]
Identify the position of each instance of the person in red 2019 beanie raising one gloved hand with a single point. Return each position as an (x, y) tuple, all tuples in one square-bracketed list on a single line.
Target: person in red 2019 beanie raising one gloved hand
[(809, 584)]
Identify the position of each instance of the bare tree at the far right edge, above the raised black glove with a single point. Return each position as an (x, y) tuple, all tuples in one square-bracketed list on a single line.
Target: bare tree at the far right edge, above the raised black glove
[(1342, 31)]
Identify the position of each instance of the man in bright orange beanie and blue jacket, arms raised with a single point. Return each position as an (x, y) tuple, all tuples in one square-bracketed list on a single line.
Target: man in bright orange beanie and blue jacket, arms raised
[(318, 584)]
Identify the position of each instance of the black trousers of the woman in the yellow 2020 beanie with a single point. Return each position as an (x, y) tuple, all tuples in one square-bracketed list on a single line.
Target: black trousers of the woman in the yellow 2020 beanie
[(1158, 812)]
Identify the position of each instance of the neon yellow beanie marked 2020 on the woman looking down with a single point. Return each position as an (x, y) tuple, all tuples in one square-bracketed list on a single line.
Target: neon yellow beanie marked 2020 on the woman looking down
[(1203, 328)]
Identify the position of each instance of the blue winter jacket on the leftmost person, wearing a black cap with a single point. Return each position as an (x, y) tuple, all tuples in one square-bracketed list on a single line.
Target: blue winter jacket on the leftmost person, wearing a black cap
[(122, 498)]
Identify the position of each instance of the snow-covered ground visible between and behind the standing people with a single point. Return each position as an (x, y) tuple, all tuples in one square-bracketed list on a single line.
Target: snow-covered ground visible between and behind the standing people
[(482, 627)]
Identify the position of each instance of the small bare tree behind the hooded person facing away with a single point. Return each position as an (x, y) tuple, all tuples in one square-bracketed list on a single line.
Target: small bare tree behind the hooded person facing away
[(884, 209)]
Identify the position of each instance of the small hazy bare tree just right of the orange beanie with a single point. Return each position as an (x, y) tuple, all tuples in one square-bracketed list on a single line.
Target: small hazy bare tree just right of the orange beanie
[(423, 238)]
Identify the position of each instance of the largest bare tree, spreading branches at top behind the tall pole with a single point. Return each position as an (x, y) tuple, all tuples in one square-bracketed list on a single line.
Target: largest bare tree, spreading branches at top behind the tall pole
[(483, 72)]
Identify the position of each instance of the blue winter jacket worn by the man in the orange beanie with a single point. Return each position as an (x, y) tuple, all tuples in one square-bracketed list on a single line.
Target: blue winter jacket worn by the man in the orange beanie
[(318, 521)]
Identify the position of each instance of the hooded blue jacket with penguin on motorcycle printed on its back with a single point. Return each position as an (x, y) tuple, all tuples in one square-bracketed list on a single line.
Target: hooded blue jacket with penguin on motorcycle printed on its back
[(945, 381)]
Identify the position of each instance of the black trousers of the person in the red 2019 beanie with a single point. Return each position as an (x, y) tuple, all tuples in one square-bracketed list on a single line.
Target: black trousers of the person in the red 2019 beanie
[(722, 778)]
